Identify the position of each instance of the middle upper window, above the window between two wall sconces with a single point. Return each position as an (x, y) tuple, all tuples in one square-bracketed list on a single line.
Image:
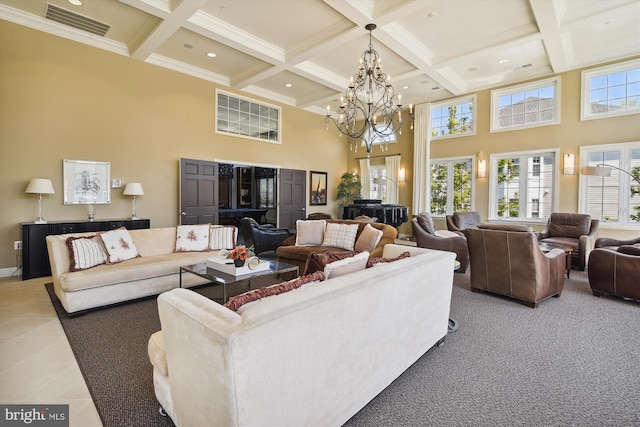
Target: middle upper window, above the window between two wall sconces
[(523, 106)]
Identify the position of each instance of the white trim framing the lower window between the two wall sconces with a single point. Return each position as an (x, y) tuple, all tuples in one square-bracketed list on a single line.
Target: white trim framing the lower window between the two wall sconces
[(493, 184)]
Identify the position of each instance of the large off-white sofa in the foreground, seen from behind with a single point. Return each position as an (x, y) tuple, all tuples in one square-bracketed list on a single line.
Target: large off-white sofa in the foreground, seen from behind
[(310, 357)]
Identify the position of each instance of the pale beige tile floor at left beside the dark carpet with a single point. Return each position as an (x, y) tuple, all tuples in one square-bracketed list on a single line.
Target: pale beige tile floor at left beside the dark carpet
[(36, 361)]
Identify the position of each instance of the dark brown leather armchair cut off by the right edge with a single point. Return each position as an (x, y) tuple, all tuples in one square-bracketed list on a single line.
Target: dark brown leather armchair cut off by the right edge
[(614, 268)]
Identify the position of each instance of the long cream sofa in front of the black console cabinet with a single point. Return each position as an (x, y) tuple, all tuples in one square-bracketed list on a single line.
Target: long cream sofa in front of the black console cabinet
[(156, 270)]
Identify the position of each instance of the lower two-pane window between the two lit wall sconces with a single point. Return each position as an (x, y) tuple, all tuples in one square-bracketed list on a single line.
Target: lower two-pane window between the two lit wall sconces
[(523, 185)]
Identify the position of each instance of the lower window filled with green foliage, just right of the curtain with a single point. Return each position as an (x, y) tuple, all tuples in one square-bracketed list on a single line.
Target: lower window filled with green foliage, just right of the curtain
[(451, 185)]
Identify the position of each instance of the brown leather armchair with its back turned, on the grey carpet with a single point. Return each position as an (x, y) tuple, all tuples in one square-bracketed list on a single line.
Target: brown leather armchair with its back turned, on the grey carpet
[(507, 260)]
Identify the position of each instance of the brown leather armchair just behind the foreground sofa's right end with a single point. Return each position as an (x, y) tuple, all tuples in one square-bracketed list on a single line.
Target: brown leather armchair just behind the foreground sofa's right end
[(426, 236)]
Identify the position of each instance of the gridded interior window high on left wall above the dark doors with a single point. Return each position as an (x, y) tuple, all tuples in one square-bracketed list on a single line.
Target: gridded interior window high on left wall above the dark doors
[(244, 117)]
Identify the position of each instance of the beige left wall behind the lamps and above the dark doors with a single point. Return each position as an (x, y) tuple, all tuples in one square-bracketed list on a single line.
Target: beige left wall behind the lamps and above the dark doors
[(64, 100)]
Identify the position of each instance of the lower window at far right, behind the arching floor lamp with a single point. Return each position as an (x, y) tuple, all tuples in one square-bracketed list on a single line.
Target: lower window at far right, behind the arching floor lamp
[(613, 199)]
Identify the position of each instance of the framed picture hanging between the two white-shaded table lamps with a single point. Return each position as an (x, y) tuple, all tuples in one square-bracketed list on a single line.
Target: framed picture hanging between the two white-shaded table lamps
[(86, 182)]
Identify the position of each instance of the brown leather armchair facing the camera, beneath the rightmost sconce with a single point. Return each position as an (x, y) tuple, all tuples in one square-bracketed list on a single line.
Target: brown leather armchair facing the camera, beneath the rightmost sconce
[(577, 231)]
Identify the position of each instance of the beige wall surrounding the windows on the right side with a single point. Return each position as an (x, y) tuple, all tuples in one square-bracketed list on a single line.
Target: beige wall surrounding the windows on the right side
[(567, 136)]
